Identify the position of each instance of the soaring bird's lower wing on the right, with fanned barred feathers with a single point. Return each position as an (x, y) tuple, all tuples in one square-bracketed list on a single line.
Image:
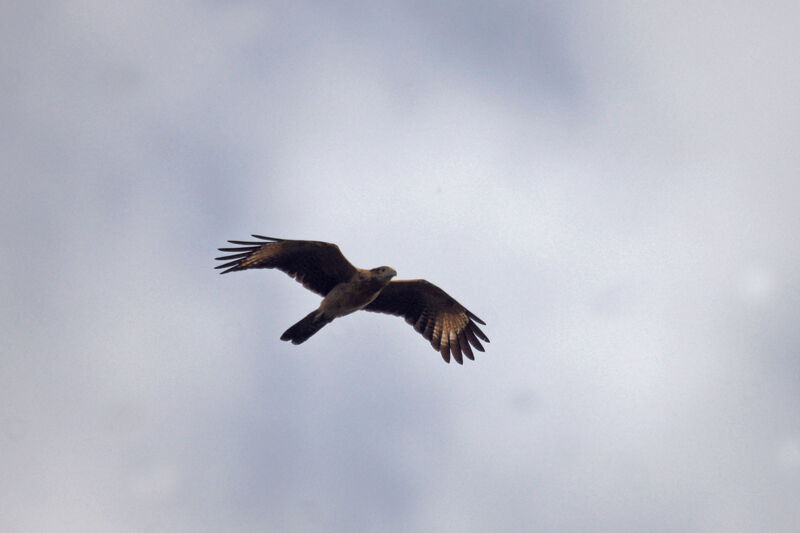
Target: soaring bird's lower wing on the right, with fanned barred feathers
[(449, 326)]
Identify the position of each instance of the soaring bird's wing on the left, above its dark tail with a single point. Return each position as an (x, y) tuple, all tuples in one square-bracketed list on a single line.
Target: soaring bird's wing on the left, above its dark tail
[(319, 266)]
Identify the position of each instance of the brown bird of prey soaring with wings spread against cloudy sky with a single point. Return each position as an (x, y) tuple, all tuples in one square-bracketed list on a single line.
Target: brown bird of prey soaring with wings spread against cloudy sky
[(320, 267)]
